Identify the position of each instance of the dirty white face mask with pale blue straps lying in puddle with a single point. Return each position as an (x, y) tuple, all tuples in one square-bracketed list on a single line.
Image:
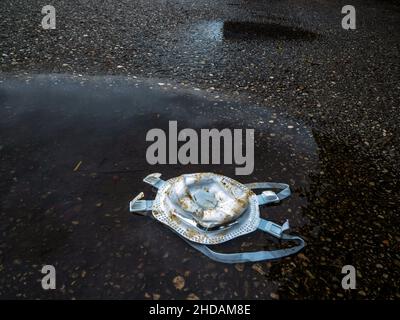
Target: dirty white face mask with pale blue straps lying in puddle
[(207, 208)]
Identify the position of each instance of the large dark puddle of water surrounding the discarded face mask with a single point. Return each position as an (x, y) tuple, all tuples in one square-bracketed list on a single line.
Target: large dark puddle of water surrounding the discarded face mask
[(79, 221)]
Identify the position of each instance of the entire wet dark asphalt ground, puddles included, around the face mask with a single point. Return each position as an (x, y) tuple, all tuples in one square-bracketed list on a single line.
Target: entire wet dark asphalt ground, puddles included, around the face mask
[(341, 86)]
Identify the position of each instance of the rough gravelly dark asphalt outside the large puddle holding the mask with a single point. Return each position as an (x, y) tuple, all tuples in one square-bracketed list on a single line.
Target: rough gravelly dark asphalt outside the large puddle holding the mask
[(343, 84)]
